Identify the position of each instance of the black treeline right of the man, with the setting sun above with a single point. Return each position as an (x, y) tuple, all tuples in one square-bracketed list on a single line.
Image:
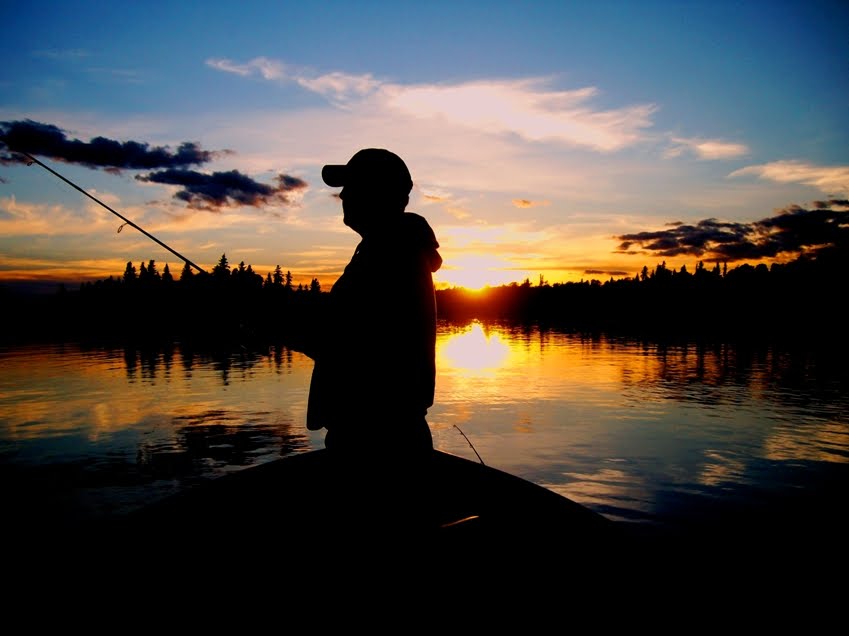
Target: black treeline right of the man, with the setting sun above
[(802, 300)]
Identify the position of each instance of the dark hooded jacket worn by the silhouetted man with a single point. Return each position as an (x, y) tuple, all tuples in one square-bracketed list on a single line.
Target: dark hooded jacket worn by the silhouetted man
[(375, 360)]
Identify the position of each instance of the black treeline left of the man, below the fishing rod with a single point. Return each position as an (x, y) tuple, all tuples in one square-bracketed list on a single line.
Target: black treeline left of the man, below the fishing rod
[(228, 306)]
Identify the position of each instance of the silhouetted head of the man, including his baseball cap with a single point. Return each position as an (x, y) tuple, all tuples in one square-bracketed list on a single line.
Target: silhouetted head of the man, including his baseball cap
[(375, 184)]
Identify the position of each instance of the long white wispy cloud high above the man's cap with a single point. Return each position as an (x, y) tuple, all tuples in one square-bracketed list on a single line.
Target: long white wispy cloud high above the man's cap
[(529, 108)]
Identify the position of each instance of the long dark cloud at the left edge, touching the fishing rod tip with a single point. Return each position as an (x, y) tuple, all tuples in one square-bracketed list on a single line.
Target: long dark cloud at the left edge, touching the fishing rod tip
[(36, 138)]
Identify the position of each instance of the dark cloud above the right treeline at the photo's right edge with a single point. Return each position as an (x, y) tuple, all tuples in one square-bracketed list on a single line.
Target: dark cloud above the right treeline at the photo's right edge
[(792, 231)]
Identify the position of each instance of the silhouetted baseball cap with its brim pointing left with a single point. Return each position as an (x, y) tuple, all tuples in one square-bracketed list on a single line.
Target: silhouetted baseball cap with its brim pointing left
[(370, 166)]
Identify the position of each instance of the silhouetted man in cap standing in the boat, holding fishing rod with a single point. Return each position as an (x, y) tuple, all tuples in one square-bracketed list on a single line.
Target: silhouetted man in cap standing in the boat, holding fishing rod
[(375, 368)]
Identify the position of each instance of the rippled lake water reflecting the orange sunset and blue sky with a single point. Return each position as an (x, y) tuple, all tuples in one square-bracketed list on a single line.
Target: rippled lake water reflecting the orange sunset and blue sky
[(657, 436)]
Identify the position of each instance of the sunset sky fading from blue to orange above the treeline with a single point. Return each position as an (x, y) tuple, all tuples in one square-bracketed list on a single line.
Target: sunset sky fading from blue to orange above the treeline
[(556, 141)]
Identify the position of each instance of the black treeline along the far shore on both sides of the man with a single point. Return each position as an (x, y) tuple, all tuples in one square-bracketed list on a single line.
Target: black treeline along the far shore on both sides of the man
[(799, 300)]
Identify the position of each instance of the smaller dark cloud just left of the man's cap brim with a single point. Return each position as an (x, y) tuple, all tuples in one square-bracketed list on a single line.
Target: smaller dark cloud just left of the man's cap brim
[(226, 189)]
